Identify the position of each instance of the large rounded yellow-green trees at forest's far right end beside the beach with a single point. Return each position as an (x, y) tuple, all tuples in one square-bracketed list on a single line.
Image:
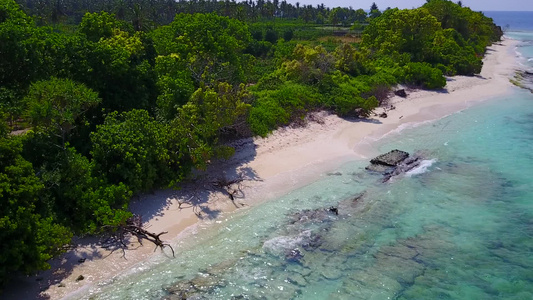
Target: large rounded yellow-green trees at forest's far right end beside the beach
[(455, 47)]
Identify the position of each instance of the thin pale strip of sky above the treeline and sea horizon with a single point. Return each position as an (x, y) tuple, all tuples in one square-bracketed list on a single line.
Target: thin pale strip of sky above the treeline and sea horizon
[(477, 5)]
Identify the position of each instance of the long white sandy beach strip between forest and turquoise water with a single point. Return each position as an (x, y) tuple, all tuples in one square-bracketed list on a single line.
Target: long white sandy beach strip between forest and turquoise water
[(288, 159)]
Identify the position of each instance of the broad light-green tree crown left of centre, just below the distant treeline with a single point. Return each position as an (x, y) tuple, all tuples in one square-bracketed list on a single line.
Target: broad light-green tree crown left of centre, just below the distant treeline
[(211, 46)]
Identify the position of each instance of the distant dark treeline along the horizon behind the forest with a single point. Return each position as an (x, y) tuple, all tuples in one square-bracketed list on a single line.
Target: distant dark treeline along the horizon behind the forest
[(148, 14)]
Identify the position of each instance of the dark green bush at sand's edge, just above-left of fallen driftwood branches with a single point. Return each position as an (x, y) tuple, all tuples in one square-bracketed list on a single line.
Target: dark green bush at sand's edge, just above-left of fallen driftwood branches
[(79, 199)]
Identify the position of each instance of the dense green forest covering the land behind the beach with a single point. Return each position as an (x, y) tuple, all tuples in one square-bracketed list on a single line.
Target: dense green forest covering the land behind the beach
[(118, 98)]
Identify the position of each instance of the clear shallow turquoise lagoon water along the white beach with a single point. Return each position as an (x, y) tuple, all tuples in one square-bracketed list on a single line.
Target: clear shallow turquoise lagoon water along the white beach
[(461, 227)]
